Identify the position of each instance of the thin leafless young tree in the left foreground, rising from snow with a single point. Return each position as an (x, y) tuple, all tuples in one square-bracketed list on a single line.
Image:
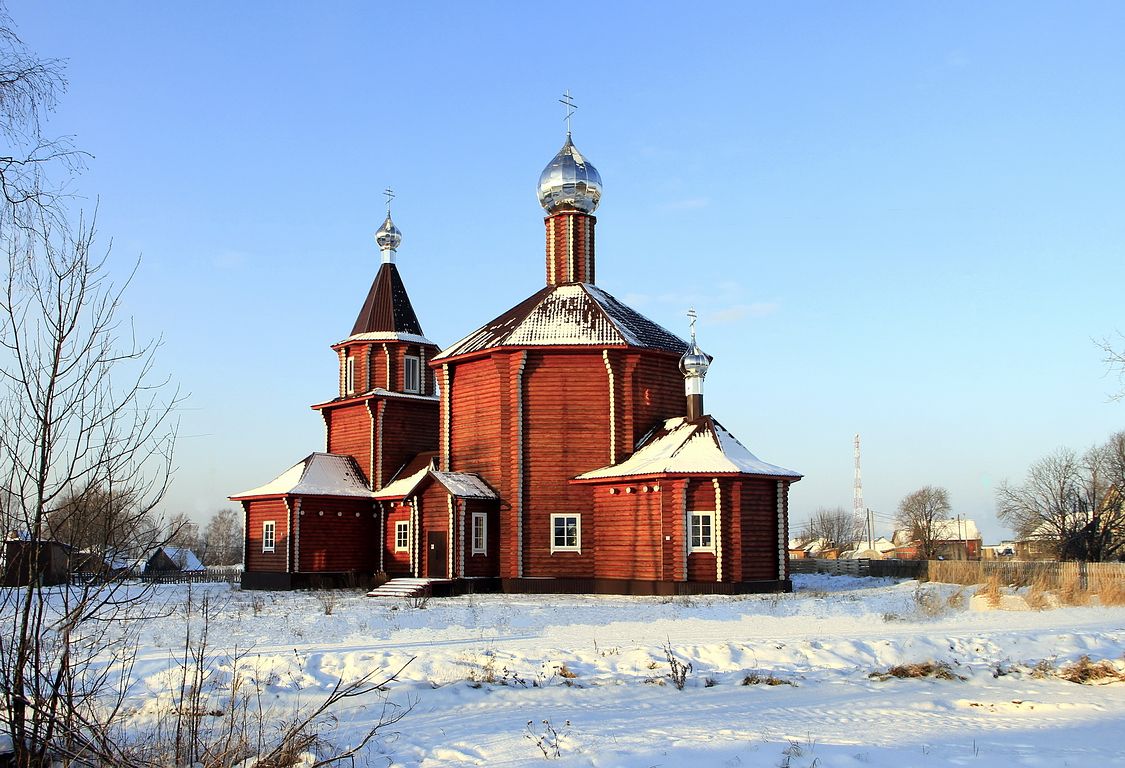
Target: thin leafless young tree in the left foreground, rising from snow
[(86, 422)]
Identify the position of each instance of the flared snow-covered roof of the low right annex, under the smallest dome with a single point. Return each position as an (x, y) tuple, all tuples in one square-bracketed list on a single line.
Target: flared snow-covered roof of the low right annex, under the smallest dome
[(680, 447)]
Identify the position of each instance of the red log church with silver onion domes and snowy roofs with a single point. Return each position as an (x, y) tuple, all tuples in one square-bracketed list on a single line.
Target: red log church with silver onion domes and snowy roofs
[(562, 447)]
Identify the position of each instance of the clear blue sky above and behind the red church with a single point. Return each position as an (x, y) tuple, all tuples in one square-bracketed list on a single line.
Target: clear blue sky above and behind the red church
[(899, 220)]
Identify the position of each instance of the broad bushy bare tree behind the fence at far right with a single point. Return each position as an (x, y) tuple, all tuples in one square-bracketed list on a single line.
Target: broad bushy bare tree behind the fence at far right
[(1072, 503)]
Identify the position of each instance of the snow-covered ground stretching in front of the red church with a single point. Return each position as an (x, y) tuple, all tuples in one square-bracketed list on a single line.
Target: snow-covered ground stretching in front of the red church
[(596, 670)]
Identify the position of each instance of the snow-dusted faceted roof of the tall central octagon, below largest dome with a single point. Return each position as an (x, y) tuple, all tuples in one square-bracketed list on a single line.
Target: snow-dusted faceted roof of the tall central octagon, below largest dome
[(570, 315)]
